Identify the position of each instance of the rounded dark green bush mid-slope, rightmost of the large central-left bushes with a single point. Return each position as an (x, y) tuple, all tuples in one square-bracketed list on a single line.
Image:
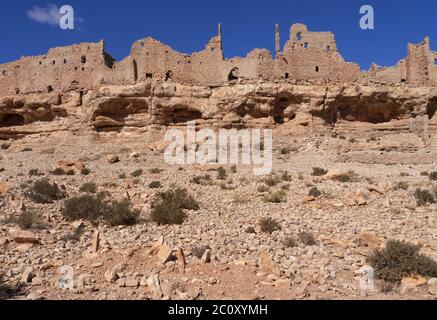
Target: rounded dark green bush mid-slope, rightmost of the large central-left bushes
[(168, 206)]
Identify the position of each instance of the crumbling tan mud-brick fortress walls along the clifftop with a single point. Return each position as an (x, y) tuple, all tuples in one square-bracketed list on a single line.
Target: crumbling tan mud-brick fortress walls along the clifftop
[(306, 56)]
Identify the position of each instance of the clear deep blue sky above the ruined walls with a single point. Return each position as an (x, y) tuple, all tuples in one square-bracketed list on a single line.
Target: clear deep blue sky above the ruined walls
[(186, 25)]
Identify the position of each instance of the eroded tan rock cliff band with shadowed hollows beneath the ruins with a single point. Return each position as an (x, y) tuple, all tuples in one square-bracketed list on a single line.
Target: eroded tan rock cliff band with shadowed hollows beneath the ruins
[(347, 107)]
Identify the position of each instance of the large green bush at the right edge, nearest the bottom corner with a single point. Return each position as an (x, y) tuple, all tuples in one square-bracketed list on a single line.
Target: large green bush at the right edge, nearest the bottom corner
[(399, 260)]
